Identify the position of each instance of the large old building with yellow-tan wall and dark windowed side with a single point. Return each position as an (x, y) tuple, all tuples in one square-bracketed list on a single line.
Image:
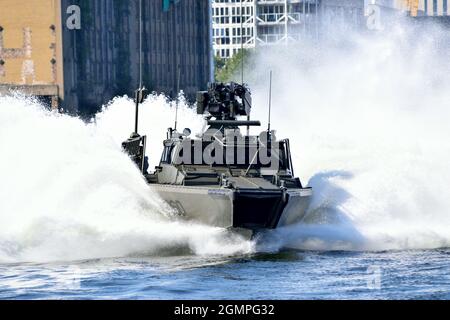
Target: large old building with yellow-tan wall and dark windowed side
[(82, 53)]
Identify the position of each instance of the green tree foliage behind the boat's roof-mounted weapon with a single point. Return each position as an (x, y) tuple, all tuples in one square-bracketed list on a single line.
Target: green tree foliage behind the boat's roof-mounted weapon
[(227, 70)]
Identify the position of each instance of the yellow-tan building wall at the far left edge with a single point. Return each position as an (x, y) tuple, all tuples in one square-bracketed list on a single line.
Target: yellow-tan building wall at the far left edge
[(30, 48)]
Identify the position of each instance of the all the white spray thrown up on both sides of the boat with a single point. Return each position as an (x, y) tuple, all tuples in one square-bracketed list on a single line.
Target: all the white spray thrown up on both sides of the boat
[(368, 121)]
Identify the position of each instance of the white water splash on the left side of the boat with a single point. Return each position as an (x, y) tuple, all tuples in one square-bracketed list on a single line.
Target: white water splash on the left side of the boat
[(68, 192)]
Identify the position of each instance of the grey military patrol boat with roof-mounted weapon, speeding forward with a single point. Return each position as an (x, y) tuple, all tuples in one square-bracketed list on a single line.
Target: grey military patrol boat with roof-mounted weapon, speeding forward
[(222, 177)]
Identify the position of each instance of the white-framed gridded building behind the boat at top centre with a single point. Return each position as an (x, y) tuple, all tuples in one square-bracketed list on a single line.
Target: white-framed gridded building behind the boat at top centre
[(264, 22)]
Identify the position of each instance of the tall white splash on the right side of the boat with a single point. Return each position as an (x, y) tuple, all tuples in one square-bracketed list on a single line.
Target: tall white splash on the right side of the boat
[(368, 120)]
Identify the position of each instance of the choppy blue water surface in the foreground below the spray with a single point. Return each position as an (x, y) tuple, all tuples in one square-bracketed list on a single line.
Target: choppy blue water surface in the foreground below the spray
[(283, 275)]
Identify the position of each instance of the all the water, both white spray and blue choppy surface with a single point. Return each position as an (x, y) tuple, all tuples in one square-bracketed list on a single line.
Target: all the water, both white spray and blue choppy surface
[(368, 121)]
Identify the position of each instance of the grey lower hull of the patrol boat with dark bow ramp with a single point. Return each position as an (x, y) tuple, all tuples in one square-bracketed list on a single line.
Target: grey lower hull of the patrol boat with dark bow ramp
[(241, 209)]
